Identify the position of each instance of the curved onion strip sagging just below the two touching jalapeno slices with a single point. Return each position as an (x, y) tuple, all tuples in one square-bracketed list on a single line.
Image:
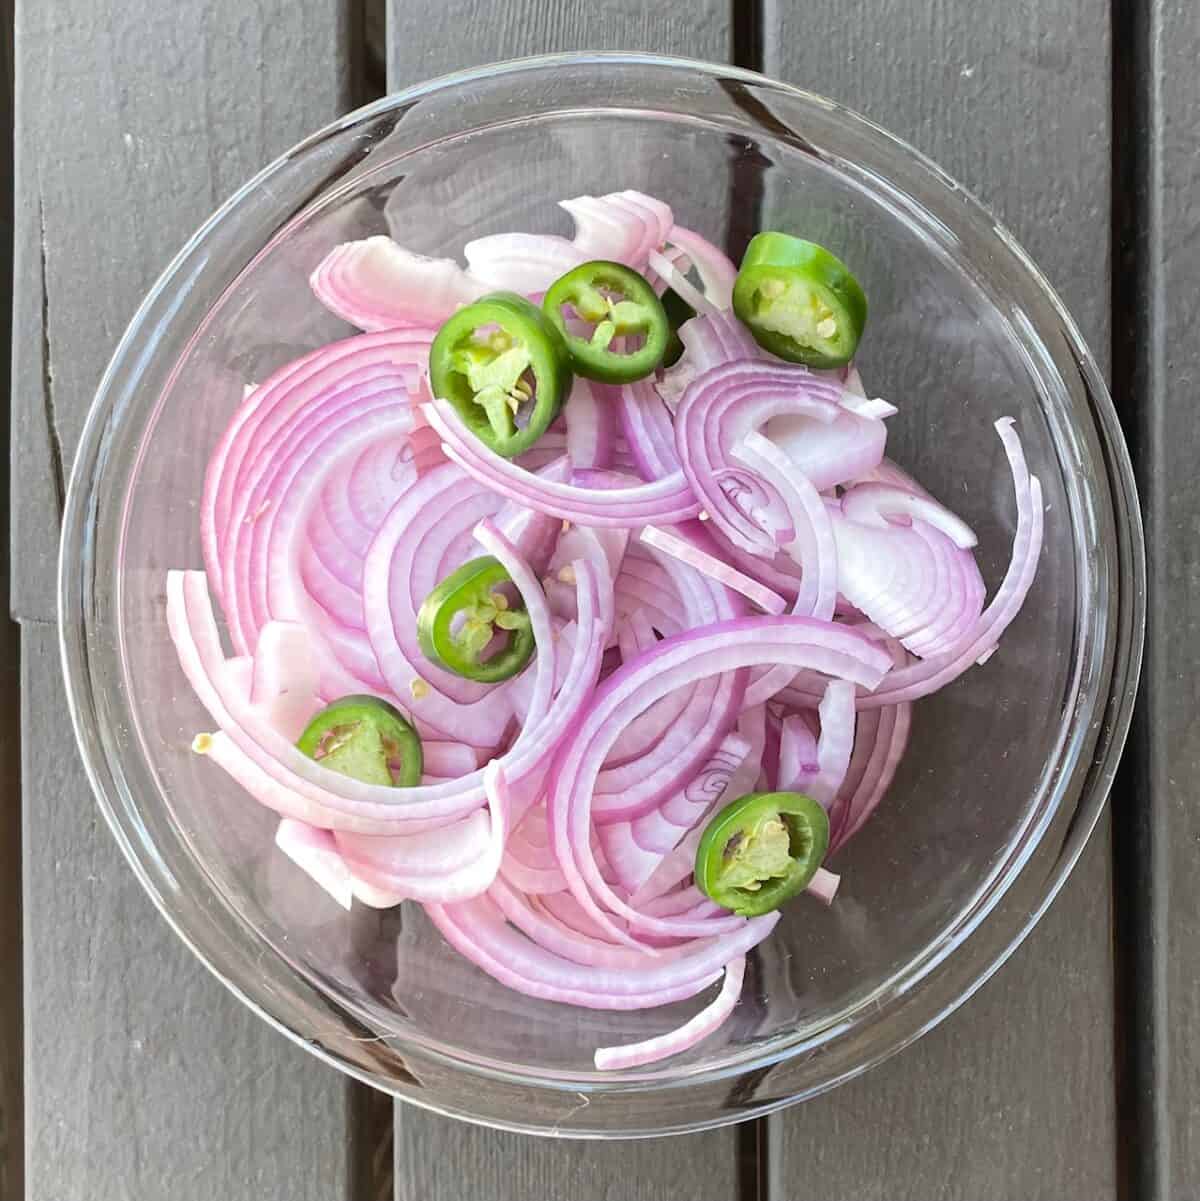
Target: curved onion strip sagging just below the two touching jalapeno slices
[(667, 500)]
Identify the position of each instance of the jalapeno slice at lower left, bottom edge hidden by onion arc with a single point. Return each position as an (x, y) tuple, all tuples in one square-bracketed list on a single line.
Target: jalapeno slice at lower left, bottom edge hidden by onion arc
[(367, 739)]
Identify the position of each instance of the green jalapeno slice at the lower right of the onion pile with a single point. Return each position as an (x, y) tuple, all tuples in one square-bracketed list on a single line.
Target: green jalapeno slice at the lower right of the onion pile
[(761, 851)]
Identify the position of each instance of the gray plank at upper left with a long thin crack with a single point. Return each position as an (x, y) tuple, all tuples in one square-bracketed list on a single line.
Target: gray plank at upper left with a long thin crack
[(135, 123)]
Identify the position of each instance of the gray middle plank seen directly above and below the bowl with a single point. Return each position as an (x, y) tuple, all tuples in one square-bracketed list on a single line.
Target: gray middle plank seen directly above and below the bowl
[(437, 1160)]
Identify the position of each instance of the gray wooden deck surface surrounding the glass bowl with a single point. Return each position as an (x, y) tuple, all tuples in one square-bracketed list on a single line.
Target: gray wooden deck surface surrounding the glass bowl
[(1073, 1075)]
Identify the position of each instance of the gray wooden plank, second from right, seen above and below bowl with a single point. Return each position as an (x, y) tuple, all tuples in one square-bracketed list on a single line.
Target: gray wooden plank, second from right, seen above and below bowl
[(1014, 1096)]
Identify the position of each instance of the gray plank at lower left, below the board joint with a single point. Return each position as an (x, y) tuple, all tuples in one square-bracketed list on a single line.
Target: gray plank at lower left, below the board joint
[(145, 1077)]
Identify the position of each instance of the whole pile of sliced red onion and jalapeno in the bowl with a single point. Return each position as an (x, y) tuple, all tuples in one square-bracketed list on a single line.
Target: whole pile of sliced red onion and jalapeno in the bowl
[(577, 601)]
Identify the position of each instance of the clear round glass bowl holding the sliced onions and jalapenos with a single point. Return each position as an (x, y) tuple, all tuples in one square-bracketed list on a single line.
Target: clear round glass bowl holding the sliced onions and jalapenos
[(1008, 769)]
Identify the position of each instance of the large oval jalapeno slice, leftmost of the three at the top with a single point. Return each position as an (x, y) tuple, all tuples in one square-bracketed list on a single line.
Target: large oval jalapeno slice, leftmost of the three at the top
[(504, 368)]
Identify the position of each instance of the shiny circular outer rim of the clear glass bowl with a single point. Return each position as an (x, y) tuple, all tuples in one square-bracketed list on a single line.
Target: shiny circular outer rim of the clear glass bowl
[(1130, 561)]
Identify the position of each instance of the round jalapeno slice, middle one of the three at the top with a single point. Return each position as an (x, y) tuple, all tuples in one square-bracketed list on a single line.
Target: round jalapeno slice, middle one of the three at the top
[(618, 303)]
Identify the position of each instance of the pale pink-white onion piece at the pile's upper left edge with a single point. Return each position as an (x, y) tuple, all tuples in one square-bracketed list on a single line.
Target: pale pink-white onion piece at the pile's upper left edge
[(375, 284)]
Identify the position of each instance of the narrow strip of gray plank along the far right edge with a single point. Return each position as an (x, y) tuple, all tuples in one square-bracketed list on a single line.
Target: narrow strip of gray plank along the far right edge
[(1173, 512)]
